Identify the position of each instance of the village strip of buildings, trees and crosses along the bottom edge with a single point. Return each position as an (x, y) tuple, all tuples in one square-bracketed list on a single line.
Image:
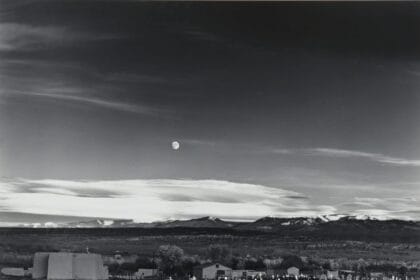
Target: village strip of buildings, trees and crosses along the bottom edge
[(170, 263)]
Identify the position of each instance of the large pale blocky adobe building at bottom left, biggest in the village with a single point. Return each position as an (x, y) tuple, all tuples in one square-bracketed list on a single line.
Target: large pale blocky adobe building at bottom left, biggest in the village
[(69, 266)]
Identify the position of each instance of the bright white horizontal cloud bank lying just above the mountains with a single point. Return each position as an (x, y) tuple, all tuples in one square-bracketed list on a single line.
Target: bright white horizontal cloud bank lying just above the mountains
[(151, 200)]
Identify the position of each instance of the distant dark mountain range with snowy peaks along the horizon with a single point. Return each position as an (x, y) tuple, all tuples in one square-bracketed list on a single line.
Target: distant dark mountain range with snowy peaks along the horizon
[(331, 227)]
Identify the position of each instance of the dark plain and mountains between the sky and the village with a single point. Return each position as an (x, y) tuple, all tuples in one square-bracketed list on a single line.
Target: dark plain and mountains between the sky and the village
[(345, 238)]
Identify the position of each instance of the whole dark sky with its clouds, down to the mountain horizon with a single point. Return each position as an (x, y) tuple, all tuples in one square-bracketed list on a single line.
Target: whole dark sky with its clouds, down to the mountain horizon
[(312, 108)]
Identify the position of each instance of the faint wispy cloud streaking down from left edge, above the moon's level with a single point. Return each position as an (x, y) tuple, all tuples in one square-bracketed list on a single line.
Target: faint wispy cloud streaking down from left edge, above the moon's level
[(22, 78)]
